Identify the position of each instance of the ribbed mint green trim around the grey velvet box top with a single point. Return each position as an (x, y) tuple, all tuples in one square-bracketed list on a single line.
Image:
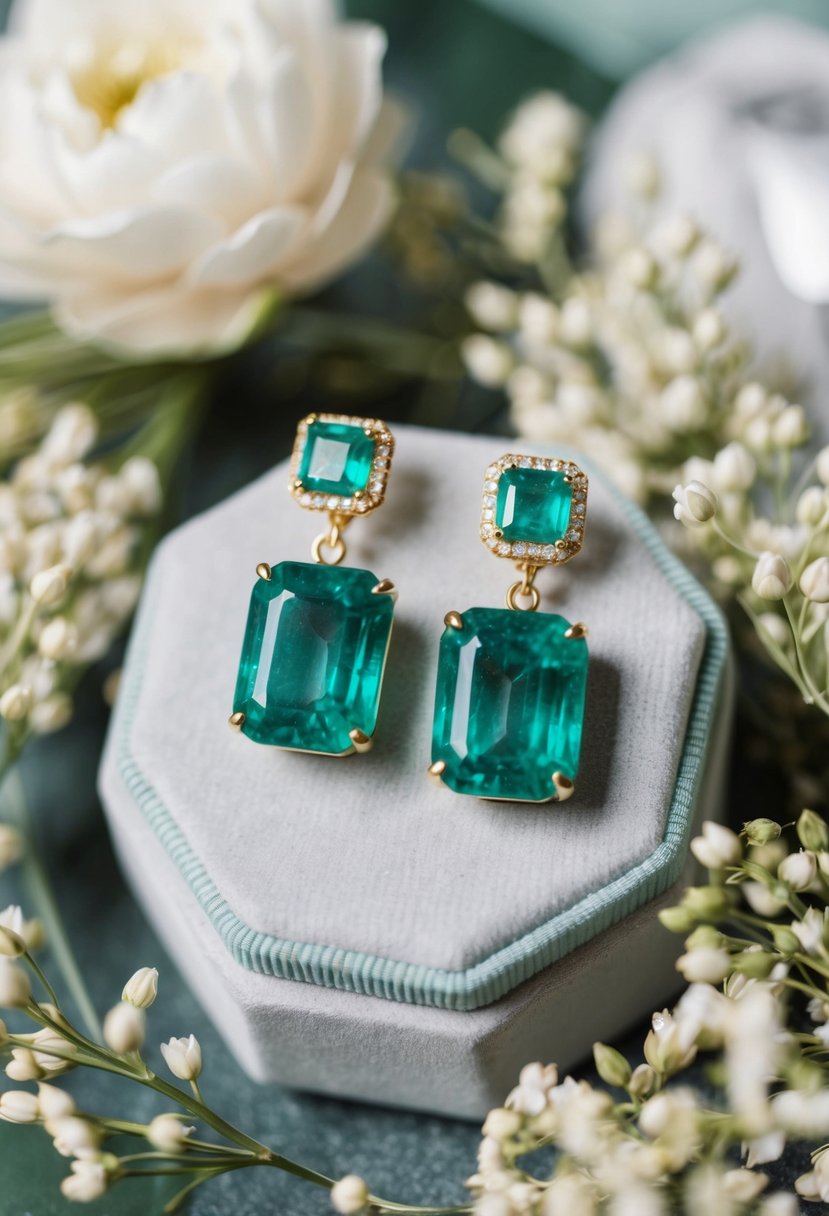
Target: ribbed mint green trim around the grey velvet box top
[(501, 972)]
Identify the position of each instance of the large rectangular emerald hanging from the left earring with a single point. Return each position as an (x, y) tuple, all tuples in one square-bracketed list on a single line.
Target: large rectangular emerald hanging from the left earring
[(313, 657)]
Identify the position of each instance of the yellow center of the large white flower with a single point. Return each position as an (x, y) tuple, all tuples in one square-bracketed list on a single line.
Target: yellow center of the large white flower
[(114, 76)]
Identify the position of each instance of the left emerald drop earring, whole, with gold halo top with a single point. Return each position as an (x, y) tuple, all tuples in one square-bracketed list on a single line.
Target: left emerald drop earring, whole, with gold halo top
[(318, 634)]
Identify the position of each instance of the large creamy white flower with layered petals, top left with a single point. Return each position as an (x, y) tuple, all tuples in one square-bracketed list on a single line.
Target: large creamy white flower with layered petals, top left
[(170, 165)]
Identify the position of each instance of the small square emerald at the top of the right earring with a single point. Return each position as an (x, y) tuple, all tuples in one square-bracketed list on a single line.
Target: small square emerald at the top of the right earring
[(533, 504)]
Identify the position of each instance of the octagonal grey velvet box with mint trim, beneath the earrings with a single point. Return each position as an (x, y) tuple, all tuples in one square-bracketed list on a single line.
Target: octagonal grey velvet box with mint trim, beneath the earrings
[(354, 930)]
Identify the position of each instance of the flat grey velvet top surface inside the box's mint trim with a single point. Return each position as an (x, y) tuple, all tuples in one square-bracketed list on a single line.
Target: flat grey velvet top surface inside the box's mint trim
[(365, 853)]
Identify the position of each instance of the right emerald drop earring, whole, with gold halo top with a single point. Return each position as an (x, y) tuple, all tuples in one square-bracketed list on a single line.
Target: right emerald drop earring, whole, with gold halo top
[(510, 699)]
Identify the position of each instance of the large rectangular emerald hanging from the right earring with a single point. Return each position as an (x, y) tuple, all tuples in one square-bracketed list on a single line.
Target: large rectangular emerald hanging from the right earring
[(510, 705)]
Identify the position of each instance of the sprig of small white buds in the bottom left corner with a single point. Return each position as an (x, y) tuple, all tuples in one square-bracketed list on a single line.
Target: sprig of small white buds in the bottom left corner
[(94, 1144)]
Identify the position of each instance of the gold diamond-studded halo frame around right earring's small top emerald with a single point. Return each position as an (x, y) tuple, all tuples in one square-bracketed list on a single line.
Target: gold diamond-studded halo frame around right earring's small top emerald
[(560, 549)]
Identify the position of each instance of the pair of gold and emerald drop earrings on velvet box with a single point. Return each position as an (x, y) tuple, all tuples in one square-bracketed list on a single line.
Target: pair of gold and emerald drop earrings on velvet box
[(511, 682)]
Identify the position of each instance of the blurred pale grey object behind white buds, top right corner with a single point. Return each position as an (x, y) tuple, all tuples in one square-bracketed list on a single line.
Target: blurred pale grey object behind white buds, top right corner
[(741, 127)]
